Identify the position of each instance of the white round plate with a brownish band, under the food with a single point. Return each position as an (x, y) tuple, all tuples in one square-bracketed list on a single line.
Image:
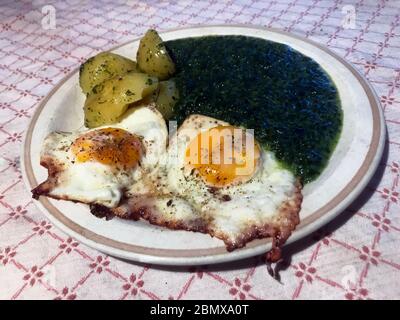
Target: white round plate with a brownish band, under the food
[(350, 168)]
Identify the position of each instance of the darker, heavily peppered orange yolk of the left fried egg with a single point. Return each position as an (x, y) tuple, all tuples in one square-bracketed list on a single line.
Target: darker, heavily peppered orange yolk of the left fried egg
[(115, 147)]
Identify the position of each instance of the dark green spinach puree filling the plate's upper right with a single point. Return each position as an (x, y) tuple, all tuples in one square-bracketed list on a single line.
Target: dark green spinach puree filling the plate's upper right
[(286, 97)]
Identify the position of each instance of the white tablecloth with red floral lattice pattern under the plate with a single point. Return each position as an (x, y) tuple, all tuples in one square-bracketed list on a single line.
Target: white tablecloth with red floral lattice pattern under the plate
[(354, 257)]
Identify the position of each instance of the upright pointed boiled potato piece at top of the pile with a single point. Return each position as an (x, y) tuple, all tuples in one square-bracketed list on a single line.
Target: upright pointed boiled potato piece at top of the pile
[(153, 58)]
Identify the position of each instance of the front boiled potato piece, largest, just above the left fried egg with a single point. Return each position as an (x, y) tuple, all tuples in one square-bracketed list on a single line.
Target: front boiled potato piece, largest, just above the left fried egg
[(110, 99)]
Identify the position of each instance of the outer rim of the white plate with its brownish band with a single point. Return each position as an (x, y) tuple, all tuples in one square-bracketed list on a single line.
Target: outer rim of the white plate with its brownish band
[(218, 254)]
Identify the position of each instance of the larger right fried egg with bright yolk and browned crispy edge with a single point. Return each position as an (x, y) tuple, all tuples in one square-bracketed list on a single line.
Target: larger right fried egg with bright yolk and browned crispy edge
[(216, 179)]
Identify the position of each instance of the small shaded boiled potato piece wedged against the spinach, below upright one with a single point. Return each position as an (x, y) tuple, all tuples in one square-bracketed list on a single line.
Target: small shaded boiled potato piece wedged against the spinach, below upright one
[(167, 97)]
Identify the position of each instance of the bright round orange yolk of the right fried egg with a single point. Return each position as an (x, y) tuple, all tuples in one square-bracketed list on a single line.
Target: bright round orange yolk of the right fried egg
[(223, 156)]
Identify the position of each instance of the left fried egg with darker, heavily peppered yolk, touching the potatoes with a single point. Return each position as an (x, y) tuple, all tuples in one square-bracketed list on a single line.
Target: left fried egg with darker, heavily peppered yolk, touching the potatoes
[(96, 166)]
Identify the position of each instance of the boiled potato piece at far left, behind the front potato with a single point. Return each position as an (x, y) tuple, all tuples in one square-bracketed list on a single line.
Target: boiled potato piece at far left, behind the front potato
[(101, 67)]
